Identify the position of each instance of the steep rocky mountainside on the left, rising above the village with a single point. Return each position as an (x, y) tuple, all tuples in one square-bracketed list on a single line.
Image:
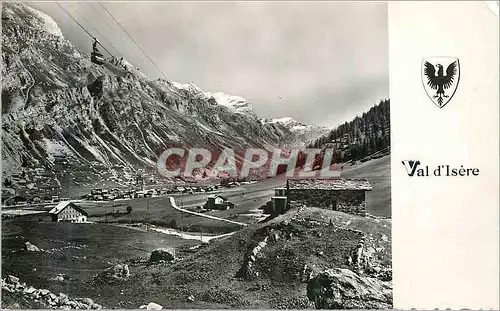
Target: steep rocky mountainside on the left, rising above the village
[(59, 106)]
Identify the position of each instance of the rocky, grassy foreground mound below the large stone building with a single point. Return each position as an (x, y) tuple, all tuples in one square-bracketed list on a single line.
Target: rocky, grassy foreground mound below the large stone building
[(307, 258)]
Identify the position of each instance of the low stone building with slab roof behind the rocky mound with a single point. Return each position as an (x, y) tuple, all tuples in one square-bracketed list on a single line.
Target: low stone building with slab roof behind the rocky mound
[(339, 194)]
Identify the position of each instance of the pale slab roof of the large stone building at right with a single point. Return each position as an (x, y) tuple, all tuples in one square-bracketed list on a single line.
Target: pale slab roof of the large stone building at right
[(330, 184)]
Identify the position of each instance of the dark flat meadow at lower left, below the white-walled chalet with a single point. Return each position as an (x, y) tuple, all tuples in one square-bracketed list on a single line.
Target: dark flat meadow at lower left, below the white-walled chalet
[(78, 250)]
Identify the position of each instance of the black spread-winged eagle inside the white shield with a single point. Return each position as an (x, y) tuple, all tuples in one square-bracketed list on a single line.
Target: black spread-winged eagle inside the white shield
[(440, 81)]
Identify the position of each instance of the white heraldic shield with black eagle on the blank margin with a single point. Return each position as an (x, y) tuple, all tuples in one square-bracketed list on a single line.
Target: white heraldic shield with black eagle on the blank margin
[(440, 76)]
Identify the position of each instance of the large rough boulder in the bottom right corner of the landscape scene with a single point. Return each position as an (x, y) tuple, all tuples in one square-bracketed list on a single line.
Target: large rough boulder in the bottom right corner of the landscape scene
[(343, 289)]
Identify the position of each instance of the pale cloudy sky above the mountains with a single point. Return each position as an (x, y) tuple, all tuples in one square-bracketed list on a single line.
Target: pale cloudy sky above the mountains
[(320, 63)]
